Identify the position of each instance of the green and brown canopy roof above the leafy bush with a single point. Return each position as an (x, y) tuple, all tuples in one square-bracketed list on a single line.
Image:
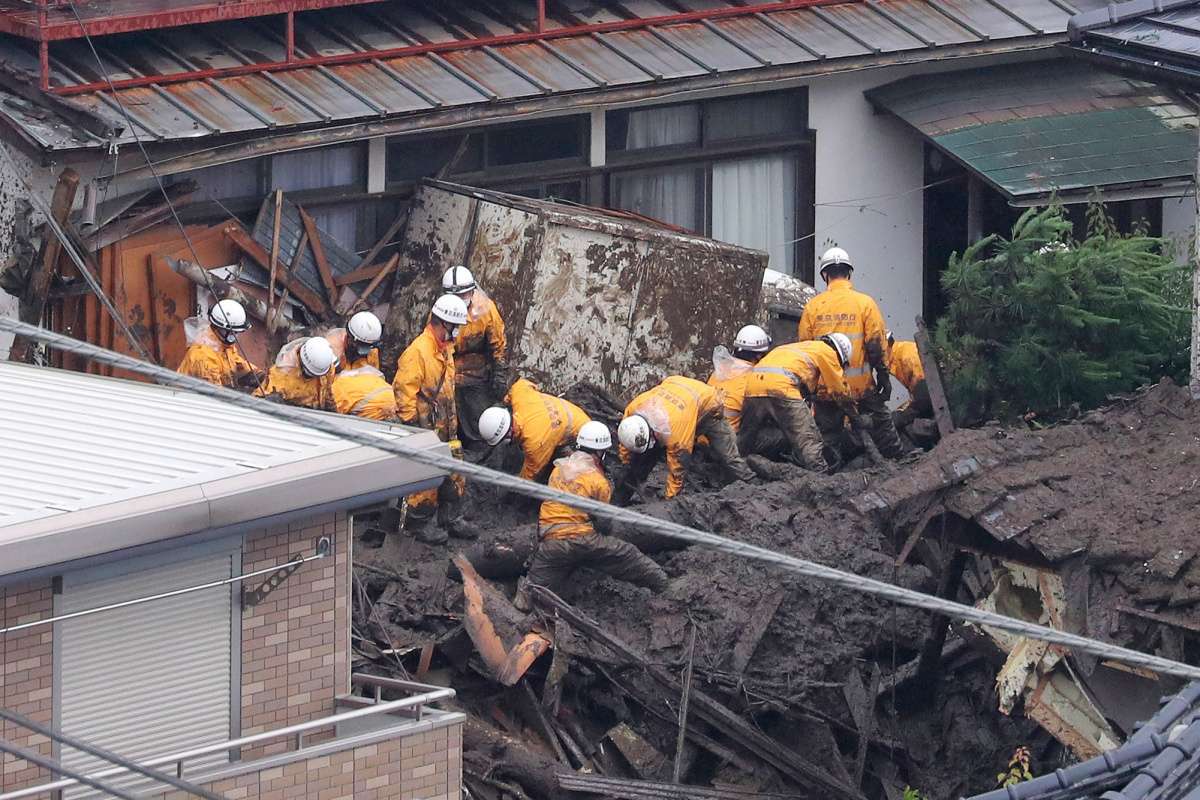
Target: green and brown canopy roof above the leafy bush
[(1058, 127)]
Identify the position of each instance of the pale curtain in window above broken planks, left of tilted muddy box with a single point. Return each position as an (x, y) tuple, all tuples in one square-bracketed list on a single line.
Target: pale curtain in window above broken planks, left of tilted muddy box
[(325, 169)]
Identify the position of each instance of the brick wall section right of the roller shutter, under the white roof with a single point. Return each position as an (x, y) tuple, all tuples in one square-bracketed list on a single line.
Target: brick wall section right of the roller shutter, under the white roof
[(296, 643)]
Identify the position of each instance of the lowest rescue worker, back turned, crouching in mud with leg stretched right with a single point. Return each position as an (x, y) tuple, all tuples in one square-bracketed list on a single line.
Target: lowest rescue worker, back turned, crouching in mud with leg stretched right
[(571, 539)]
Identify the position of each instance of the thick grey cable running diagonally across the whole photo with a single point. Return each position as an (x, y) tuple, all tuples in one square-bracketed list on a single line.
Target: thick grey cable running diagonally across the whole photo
[(334, 428)]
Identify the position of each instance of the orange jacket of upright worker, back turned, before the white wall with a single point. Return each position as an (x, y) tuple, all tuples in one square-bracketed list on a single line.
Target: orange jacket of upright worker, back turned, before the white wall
[(842, 310)]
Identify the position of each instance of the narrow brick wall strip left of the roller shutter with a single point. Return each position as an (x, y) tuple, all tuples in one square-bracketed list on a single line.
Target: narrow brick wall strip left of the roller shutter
[(26, 684)]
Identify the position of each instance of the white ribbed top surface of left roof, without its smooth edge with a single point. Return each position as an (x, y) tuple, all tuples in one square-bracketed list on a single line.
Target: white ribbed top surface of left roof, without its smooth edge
[(71, 442)]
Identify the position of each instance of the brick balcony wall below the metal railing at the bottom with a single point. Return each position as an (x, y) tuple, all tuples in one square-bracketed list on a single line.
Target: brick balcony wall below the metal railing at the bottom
[(421, 767)]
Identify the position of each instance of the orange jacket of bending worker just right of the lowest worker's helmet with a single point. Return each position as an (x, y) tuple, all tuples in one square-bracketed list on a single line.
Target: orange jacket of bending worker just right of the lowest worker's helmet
[(674, 410)]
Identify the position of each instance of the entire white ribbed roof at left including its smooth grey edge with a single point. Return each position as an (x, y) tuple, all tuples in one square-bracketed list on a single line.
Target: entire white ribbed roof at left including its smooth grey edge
[(147, 464)]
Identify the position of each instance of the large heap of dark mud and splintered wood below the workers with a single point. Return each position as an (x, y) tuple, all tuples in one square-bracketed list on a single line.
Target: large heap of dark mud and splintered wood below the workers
[(801, 689)]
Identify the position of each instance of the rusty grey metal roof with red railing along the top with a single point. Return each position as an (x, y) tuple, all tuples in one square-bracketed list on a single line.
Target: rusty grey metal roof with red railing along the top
[(413, 85)]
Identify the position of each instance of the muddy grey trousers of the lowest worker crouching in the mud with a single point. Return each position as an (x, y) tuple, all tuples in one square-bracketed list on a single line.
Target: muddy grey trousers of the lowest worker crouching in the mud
[(556, 560)]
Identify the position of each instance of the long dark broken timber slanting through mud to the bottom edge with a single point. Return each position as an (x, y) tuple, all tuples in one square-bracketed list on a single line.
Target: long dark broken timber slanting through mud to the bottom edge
[(746, 736)]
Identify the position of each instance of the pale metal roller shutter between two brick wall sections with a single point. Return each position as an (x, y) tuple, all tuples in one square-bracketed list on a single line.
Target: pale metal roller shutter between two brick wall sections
[(151, 679)]
